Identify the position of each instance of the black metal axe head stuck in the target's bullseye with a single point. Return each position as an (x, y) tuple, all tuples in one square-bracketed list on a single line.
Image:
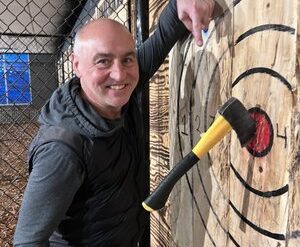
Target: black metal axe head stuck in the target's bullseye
[(240, 120)]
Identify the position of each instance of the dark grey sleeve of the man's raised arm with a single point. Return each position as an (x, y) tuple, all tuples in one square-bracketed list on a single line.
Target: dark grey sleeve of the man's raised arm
[(154, 50)]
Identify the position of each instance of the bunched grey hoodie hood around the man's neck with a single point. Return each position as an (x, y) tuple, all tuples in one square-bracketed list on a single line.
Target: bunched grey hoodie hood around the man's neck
[(67, 109)]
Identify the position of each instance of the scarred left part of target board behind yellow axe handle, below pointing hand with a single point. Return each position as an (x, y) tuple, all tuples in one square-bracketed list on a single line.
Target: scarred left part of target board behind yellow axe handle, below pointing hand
[(200, 81)]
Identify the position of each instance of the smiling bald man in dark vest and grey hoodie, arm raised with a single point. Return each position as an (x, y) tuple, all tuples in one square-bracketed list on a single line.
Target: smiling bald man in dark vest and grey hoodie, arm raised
[(87, 163)]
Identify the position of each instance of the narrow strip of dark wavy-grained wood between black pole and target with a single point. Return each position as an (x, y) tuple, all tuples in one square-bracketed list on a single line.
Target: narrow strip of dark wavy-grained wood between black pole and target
[(159, 141)]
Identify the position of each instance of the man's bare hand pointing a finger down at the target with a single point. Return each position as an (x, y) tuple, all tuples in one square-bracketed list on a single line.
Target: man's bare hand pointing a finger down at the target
[(195, 15)]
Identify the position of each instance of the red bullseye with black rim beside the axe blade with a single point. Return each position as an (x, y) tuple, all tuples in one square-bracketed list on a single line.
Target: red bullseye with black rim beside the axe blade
[(261, 144)]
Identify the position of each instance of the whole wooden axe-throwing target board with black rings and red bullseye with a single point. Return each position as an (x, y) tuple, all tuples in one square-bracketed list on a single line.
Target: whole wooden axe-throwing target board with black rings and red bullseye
[(239, 196)]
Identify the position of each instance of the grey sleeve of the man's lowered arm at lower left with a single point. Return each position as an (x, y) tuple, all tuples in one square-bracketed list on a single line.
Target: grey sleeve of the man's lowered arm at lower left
[(55, 178)]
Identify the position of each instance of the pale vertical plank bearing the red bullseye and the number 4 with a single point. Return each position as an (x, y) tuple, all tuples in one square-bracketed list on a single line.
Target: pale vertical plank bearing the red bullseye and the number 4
[(264, 79)]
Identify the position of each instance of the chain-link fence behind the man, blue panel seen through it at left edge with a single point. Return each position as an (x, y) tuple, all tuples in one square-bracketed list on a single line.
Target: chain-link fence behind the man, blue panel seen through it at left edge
[(35, 44)]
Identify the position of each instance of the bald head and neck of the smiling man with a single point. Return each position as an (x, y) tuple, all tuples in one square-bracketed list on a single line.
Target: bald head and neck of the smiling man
[(104, 59)]
